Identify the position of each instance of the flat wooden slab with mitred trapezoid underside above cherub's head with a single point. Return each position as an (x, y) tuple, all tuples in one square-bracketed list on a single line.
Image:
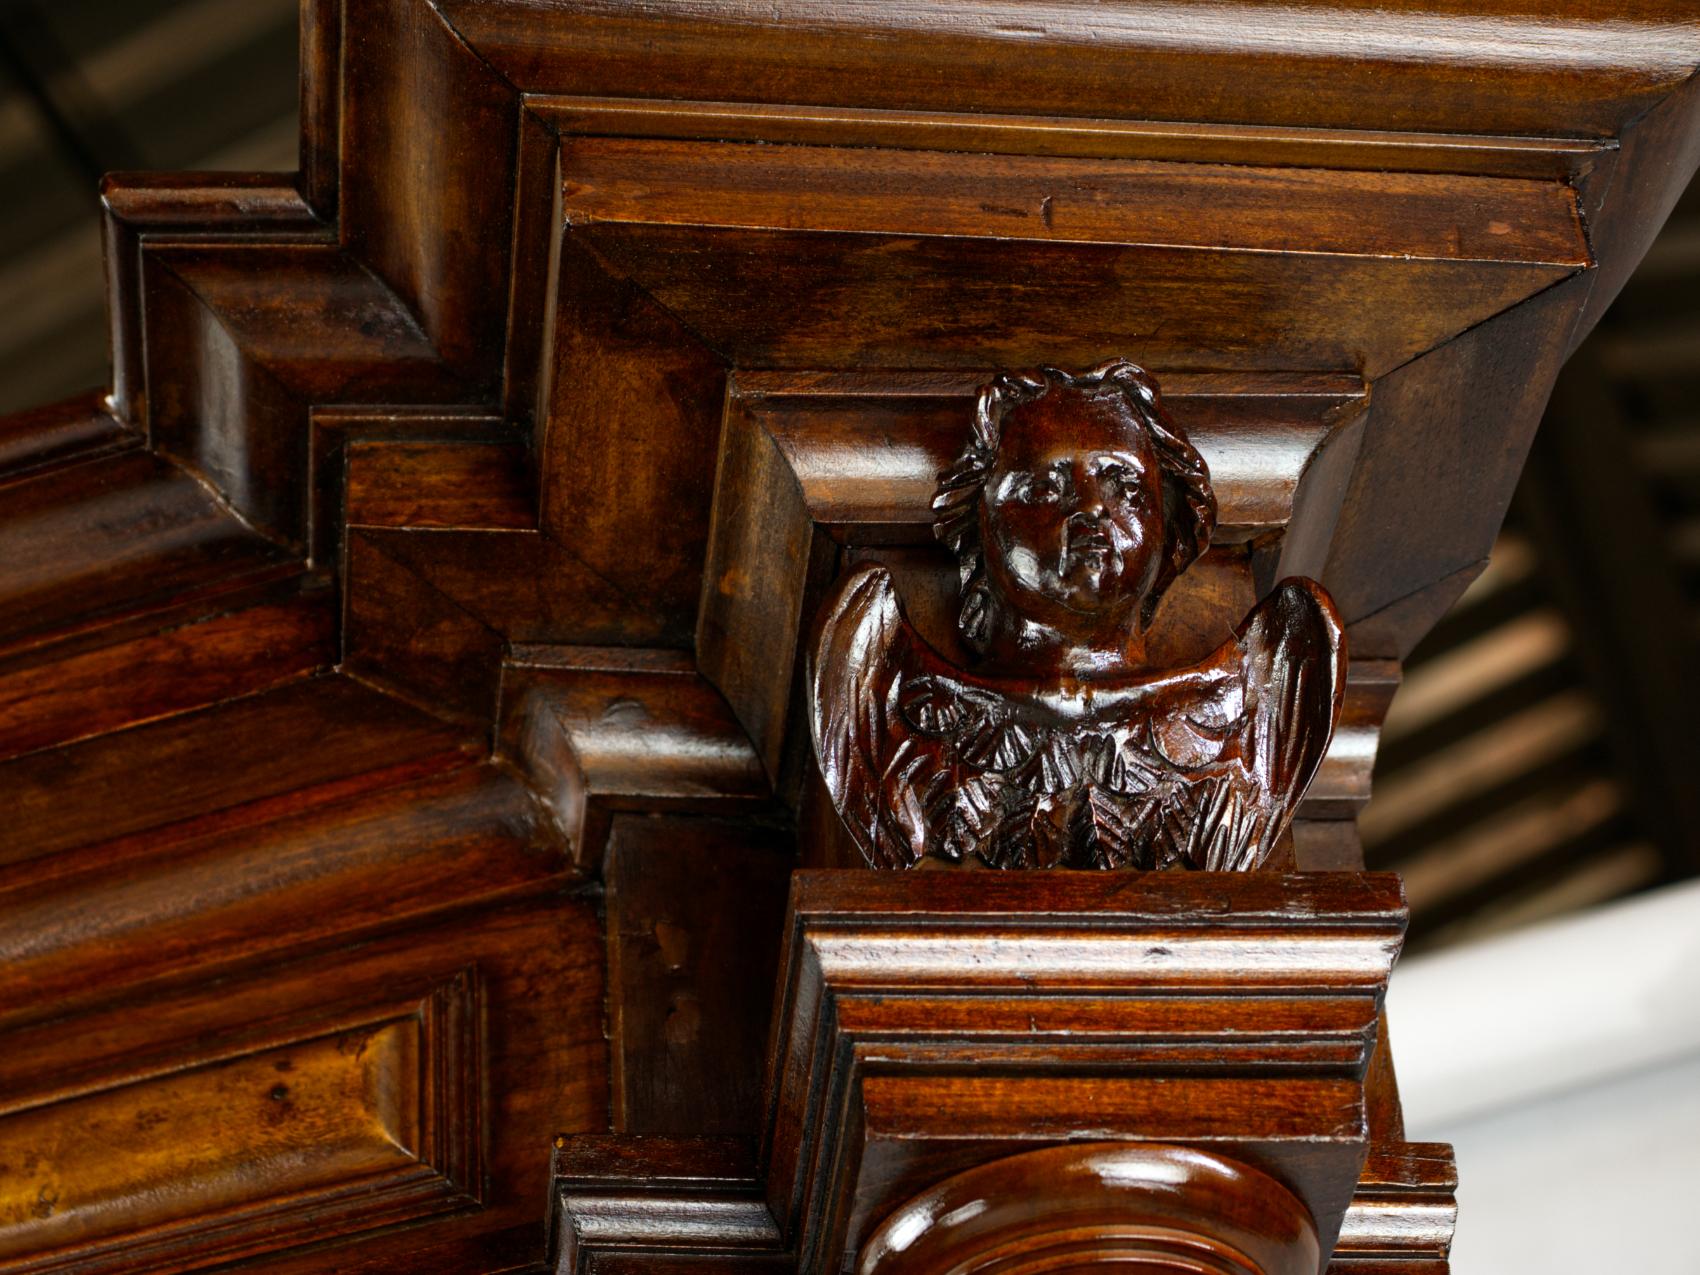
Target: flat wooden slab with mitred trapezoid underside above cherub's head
[(897, 242)]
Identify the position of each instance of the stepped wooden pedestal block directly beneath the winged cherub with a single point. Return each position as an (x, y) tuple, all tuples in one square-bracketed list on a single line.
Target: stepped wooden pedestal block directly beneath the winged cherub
[(932, 1024)]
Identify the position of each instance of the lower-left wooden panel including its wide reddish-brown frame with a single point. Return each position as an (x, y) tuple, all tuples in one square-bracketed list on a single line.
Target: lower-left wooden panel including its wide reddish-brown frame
[(419, 1065)]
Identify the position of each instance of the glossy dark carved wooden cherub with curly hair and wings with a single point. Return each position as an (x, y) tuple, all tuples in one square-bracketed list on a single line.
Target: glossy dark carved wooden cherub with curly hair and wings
[(1074, 507)]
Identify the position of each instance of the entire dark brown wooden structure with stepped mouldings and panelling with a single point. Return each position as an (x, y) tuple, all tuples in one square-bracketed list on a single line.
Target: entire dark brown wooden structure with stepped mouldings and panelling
[(416, 853)]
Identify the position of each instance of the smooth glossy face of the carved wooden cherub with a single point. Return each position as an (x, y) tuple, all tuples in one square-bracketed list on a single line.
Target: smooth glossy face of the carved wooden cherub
[(1072, 518)]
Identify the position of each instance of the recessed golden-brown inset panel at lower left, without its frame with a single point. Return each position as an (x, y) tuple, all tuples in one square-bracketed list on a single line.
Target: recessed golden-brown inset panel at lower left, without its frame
[(337, 1131)]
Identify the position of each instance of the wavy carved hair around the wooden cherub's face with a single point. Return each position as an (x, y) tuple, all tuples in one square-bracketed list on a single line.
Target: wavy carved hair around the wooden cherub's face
[(1189, 502)]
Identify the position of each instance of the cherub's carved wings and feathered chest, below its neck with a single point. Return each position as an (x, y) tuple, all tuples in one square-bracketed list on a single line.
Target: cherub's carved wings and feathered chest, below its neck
[(1193, 769)]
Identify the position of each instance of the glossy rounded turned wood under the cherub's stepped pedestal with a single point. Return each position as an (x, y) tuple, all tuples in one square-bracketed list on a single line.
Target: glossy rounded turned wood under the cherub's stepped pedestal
[(1087, 1208)]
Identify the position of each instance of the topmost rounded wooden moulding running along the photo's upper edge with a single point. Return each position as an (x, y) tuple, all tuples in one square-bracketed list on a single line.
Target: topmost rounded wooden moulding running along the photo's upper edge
[(1351, 65)]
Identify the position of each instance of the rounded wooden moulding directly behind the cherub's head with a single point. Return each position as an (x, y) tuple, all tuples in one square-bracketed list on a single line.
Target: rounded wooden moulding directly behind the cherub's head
[(819, 465)]
